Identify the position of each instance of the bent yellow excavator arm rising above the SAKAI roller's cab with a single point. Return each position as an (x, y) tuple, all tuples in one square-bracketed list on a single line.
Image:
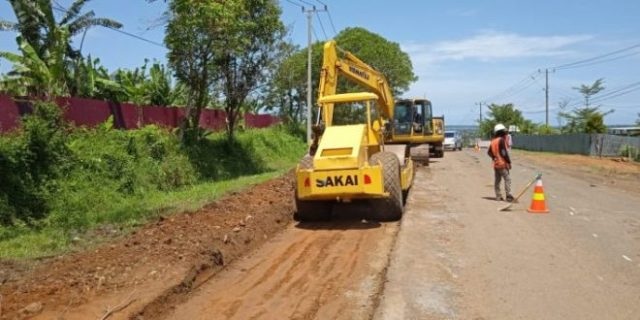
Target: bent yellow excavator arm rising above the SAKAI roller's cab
[(357, 71)]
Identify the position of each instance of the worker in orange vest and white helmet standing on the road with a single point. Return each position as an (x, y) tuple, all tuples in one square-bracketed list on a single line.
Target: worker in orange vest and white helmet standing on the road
[(501, 161)]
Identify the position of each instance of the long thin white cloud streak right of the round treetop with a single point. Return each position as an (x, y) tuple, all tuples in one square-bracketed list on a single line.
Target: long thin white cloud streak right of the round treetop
[(492, 45)]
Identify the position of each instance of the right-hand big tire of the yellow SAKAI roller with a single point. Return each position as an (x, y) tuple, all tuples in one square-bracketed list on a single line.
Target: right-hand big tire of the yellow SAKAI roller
[(391, 208)]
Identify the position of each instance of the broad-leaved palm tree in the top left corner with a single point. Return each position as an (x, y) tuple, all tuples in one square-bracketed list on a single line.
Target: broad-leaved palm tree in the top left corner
[(48, 60)]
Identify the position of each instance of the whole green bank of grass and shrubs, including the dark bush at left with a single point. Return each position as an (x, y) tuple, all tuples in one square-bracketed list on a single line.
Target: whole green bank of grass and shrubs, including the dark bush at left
[(60, 183)]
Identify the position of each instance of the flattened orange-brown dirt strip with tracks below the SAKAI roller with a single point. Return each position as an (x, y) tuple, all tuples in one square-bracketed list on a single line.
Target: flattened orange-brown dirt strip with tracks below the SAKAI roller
[(310, 271)]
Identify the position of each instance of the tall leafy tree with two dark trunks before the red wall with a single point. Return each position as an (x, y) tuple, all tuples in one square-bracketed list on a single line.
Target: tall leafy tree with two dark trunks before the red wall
[(223, 45)]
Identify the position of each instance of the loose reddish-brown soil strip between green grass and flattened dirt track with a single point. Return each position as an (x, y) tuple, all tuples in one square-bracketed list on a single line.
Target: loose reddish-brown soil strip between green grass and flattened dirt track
[(153, 265)]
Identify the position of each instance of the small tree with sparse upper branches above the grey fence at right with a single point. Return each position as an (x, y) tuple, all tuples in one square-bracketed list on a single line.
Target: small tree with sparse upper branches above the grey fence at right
[(587, 119)]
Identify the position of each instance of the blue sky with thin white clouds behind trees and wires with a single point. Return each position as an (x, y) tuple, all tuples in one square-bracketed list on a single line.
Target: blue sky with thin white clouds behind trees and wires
[(463, 52)]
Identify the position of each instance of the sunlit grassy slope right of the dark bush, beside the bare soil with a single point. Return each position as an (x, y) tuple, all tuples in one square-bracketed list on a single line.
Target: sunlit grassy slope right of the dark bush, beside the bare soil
[(113, 181)]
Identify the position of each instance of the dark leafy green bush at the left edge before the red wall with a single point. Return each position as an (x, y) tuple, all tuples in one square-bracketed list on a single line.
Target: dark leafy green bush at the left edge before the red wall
[(30, 163)]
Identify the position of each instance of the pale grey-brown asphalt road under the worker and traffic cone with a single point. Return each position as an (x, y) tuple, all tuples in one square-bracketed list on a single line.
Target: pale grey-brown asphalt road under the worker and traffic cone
[(457, 257)]
